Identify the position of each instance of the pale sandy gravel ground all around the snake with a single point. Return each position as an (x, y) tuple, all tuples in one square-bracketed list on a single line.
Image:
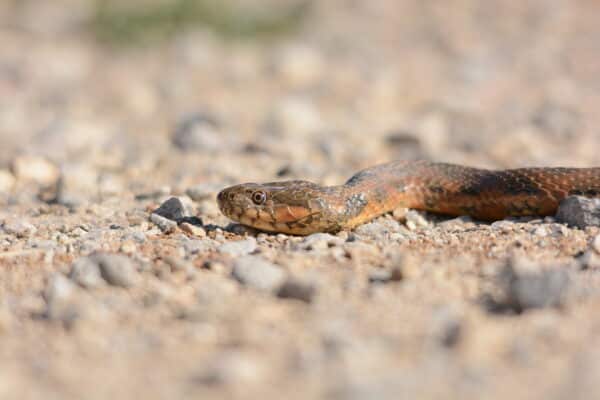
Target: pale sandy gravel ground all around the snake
[(101, 298)]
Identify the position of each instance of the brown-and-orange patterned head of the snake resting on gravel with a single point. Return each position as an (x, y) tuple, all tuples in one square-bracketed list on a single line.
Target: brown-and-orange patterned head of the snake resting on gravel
[(288, 207)]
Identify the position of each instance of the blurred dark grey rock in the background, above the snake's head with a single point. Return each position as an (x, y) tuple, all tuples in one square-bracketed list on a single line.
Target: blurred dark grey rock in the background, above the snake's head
[(198, 132)]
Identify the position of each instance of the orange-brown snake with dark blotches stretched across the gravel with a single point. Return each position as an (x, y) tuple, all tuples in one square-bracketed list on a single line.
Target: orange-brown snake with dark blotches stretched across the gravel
[(300, 207)]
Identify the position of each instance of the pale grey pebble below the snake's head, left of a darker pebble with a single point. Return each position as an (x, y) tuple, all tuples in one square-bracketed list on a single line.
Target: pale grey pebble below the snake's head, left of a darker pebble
[(258, 273)]
